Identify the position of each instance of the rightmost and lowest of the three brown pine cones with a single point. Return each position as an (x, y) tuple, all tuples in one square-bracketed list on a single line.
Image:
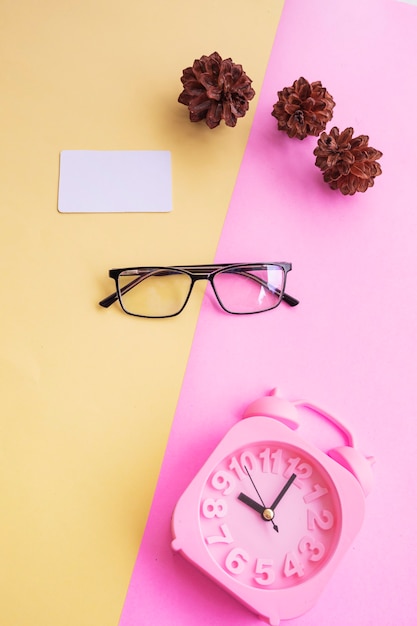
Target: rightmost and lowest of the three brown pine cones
[(347, 163)]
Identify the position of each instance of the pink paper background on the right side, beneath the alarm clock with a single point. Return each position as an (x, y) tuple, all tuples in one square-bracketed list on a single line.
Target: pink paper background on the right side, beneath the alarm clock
[(350, 346)]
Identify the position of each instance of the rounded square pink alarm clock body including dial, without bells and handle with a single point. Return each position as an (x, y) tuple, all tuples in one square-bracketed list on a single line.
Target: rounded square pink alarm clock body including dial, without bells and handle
[(268, 517)]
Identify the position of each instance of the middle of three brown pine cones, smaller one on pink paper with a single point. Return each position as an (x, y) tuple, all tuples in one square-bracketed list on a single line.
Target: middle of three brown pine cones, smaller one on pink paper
[(303, 109)]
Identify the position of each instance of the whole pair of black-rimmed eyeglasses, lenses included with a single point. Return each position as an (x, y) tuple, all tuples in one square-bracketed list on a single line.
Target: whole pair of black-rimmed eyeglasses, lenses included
[(241, 288)]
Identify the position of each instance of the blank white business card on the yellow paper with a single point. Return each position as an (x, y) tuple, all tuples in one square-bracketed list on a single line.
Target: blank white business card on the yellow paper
[(115, 181)]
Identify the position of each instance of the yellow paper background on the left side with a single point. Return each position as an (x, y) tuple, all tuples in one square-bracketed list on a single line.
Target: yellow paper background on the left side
[(88, 395)]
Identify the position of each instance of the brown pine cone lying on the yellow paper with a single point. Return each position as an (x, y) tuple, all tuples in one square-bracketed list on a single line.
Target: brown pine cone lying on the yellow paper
[(215, 90)]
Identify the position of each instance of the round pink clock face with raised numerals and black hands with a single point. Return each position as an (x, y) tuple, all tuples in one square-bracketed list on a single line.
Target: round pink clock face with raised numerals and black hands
[(269, 515)]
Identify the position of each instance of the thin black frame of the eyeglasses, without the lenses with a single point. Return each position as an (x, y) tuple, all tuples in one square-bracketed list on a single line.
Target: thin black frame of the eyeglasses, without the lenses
[(195, 273)]
